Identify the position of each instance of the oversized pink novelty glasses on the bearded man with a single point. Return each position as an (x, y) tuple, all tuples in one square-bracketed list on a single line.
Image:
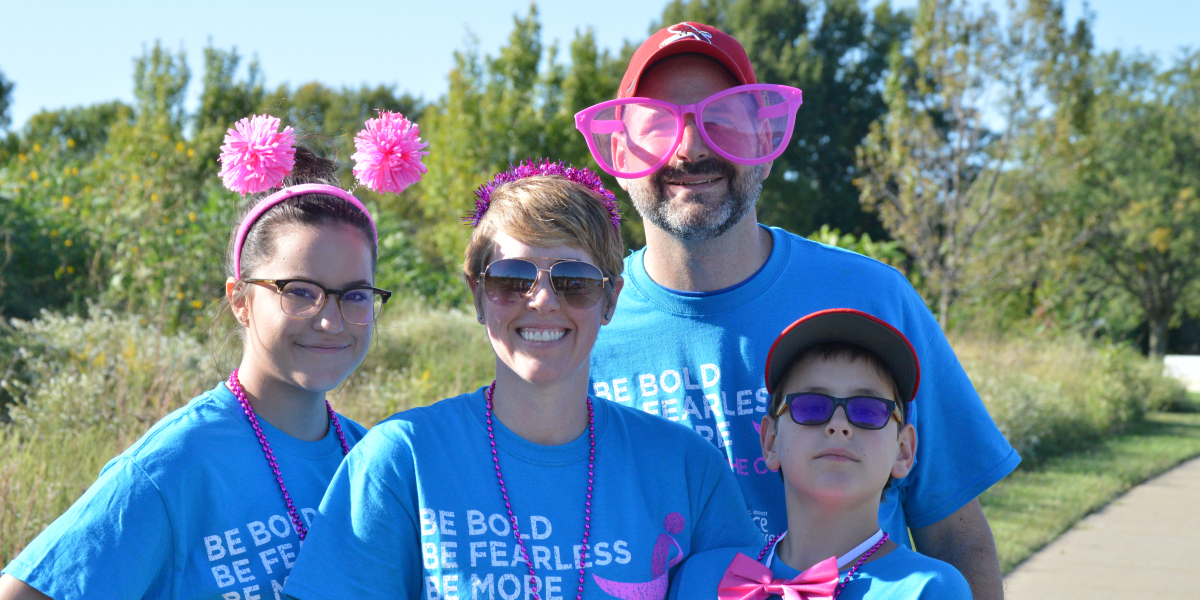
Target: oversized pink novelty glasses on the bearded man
[(794, 98)]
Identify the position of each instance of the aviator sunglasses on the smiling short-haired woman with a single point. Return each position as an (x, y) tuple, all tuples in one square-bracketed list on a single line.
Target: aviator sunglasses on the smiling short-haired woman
[(578, 284)]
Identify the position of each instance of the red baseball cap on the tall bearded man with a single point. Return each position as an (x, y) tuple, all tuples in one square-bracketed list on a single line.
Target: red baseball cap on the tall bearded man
[(688, 38)]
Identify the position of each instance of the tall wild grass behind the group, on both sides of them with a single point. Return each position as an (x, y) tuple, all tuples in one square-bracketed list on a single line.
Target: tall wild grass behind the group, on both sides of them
[(86, 388)]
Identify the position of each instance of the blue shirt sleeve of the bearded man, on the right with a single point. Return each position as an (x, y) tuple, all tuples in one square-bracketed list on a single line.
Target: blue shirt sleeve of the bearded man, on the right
[(961, 452)]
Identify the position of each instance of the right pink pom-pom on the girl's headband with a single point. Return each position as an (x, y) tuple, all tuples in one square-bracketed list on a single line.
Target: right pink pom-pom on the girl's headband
[(389, 154)]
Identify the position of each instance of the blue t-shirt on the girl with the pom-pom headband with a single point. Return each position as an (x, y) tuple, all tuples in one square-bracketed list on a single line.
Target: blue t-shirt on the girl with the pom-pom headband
[(190, 512)]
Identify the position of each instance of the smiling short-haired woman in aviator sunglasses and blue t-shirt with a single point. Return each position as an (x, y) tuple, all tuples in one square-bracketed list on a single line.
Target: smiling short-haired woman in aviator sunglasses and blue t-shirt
[(526, 488)]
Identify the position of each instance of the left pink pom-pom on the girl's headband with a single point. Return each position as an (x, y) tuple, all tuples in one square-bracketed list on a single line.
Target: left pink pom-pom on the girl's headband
[(256, 157)]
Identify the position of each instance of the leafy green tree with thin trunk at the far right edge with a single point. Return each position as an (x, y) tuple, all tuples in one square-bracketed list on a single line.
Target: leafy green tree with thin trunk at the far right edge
[(1135, 211)]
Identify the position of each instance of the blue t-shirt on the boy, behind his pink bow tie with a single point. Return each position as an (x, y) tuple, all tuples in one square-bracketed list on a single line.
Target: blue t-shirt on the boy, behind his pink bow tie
[(901, 575)]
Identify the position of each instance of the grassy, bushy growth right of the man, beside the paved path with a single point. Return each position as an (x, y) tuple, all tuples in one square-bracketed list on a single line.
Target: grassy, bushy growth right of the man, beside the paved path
[(1051, 395)]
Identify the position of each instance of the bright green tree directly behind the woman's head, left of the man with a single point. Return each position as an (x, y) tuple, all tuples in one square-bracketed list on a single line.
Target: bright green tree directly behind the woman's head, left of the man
[(499, 111)]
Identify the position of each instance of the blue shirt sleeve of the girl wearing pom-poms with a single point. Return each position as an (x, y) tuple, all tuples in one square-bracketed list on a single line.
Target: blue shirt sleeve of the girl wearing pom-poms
[(115, 542)]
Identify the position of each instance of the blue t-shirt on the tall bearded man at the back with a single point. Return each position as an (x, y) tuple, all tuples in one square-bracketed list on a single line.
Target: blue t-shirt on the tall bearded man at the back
[(700, 362)]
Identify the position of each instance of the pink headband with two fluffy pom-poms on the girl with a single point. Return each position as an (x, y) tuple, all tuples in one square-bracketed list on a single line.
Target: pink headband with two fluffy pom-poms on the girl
[(257, 158)]
